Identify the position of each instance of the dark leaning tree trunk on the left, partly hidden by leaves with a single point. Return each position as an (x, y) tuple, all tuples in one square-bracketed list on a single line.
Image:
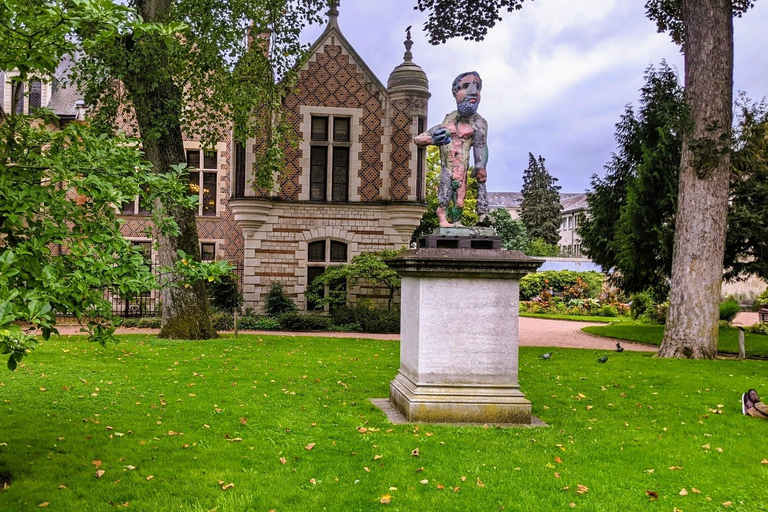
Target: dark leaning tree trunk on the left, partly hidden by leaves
[(157, 101)]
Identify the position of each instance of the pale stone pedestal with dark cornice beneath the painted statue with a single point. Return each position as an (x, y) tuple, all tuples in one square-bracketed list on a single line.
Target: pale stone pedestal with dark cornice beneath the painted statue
[(459, 336)]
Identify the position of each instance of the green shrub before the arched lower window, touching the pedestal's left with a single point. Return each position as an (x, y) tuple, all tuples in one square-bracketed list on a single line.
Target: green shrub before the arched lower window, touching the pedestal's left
[(368, 267)]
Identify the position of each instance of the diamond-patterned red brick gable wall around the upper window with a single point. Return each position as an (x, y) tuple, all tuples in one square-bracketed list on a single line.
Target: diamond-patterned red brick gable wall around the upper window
[(331, 80)]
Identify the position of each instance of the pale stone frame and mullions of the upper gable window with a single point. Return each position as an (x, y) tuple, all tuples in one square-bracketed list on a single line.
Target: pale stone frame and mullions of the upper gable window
[(355, 148)]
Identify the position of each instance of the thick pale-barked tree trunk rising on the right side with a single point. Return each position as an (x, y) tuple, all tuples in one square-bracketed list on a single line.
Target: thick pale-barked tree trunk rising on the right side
[(697, 262)]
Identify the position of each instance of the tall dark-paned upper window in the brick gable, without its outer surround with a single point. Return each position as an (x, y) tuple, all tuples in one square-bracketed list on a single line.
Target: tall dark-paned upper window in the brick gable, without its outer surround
[(330, 144)]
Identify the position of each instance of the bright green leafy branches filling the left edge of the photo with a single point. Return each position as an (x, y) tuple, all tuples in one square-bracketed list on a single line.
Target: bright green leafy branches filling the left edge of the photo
[(60, 244)]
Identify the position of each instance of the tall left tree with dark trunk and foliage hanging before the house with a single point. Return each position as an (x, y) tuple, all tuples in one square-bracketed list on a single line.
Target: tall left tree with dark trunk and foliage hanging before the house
[(198, 76)]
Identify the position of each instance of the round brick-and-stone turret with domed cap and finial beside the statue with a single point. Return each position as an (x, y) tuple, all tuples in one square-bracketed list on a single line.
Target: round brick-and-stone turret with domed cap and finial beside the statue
[(409, 94)]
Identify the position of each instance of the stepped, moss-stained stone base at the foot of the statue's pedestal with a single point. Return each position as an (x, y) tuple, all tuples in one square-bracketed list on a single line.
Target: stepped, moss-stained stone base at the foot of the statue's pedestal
[(459, 403)]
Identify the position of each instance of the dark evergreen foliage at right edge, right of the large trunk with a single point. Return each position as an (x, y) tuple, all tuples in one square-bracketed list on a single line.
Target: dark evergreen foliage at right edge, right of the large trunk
[(746, 250)]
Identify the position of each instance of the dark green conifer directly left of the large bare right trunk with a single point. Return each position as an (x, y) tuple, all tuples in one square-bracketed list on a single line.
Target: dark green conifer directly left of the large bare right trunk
[(632, 210)]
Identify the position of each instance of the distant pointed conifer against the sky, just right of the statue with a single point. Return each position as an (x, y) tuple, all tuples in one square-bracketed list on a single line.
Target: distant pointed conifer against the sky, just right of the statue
[(540, 209)]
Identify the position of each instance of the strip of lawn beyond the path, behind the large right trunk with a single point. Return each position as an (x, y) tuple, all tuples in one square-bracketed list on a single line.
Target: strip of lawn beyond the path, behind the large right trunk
[(754, 344)]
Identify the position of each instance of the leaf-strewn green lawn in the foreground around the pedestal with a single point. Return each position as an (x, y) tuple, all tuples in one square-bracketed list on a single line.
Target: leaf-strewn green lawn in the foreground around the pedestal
[(171, 423)]
